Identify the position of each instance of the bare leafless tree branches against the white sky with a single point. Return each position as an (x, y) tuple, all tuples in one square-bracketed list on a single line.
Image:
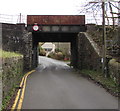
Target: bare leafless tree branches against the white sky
[(96, 9)]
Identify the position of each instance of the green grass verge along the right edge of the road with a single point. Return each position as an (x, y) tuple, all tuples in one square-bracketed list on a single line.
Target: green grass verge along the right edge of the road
[(108, 83)]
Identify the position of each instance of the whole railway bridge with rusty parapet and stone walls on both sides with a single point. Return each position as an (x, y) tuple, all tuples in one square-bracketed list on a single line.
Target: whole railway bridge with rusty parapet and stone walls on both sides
[(49, 28)]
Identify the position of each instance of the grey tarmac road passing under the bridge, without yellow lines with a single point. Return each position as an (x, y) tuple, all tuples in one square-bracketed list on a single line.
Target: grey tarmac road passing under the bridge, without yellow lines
[(55, 85)]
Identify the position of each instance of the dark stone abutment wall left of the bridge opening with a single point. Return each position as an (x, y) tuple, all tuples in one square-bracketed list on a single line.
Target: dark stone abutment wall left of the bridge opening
[(16, 39)]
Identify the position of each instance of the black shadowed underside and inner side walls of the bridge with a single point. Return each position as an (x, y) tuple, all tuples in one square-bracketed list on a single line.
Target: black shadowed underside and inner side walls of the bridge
[(55, 37)]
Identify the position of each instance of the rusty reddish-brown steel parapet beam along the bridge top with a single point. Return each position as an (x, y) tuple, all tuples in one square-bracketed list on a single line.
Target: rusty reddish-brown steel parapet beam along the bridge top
[(56, 19)]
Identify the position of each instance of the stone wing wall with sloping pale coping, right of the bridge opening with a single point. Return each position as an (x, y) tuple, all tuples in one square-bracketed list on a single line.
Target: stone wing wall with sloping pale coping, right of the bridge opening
[(89, 54)]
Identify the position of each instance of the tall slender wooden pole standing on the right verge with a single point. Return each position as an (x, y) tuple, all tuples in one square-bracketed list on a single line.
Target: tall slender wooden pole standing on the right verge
[(104, 69)]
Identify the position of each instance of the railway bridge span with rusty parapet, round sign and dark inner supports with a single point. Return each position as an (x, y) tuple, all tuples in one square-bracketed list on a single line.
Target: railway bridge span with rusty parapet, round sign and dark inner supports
[(56, 28)]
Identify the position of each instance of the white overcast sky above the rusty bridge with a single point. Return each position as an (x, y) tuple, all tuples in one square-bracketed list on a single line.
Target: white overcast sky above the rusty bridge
[(11, 9)]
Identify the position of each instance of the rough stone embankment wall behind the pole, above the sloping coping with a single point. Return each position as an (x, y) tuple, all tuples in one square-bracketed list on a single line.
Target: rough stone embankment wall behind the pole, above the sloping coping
[(112, 38)]
